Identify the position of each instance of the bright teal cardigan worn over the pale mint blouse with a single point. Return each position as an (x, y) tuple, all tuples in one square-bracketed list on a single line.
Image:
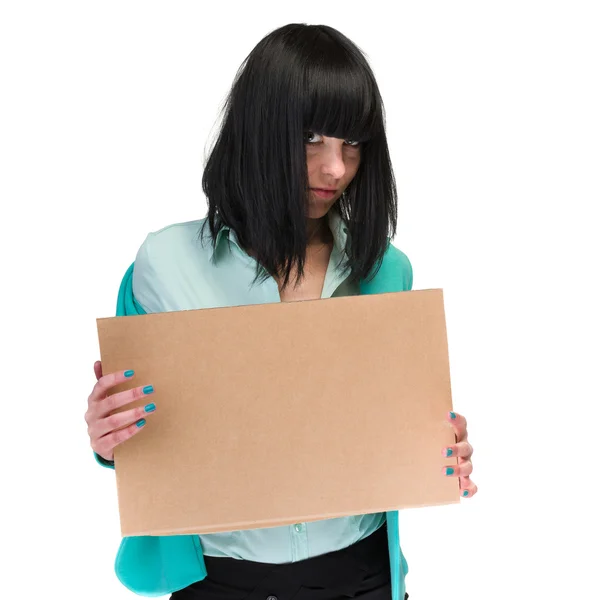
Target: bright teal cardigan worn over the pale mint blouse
[(157, 565)]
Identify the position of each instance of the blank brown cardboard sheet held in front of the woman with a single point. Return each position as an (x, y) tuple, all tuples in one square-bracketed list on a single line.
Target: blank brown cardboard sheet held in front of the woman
[(279, 413)]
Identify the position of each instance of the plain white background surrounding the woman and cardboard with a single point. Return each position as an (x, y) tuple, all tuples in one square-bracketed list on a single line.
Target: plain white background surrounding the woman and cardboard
[(494, 131)]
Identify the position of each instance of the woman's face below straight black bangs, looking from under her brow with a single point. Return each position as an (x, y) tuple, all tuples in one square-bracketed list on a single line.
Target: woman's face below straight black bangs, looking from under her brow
[(332, 164)]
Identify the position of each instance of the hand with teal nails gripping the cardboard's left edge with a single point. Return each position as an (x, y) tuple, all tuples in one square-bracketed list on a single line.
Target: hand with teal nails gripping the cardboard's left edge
[(104, 429)]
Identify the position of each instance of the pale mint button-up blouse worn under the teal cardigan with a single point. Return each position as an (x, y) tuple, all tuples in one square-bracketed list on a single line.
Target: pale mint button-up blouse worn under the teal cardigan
[(174, 270)]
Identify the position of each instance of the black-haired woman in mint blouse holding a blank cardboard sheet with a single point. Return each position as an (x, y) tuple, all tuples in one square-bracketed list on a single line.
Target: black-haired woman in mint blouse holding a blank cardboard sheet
[(302, 204)]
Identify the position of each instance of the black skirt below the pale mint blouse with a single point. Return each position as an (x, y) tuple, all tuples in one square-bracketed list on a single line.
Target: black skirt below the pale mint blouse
[(361, 570)]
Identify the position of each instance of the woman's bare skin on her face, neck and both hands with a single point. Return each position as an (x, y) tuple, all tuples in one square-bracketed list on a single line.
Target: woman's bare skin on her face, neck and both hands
[(331, 163)]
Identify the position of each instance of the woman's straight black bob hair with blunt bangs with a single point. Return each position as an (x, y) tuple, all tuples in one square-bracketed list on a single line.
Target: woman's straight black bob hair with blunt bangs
[(300, 78)]
